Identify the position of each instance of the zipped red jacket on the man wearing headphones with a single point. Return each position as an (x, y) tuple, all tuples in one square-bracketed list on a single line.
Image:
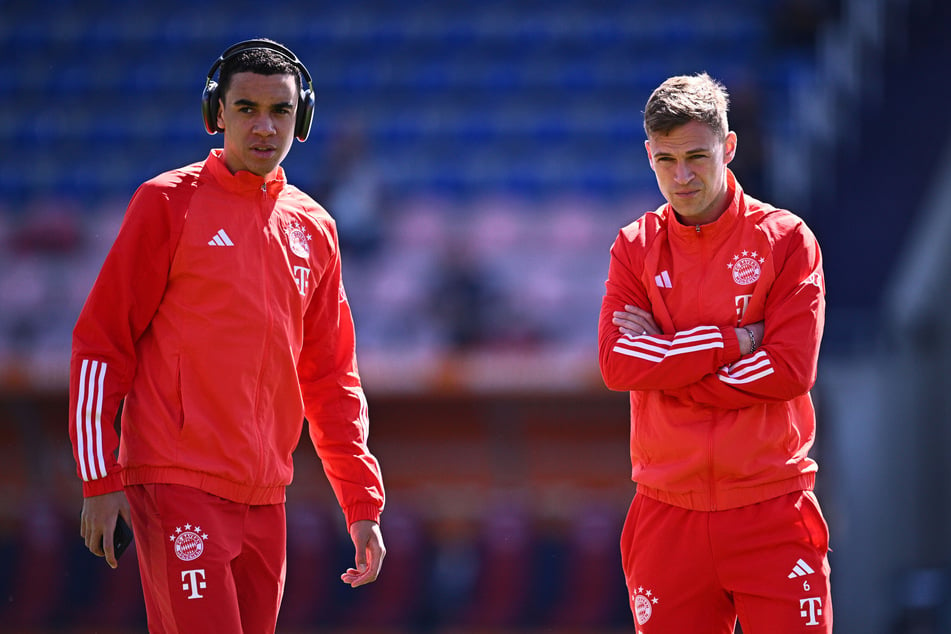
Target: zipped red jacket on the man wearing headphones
[(220, 317)]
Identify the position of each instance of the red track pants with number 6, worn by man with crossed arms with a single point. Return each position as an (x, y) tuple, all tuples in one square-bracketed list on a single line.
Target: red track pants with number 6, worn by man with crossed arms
[(697, 572)]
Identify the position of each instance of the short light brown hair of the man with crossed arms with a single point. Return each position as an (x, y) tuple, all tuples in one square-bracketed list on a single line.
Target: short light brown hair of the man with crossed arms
[(685, 98)]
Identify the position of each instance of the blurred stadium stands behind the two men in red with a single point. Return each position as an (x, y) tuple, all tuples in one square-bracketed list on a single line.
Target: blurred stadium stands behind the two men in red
[(479, 159)]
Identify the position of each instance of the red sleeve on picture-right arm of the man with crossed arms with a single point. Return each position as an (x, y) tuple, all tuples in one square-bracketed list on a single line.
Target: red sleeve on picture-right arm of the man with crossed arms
[(785, 365)]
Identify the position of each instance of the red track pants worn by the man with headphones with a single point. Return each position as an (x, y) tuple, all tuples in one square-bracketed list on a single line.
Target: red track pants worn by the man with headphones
[(207, 564)]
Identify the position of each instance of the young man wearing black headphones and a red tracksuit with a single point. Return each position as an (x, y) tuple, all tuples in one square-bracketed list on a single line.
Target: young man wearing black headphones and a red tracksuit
[(220, 317)]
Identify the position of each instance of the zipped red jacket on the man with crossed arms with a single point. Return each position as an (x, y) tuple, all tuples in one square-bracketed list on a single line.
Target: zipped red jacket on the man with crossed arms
[(711, 429)]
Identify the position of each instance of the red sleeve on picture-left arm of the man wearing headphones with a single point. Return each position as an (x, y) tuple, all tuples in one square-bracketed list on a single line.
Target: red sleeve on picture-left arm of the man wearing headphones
[(117, 311)]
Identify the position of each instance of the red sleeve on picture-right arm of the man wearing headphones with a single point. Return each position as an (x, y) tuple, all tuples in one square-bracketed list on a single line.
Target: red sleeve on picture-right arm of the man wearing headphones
[(334, 402)]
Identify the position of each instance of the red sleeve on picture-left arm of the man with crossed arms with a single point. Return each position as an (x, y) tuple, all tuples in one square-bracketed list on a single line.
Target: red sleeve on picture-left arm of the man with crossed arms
[(652, 362)]
